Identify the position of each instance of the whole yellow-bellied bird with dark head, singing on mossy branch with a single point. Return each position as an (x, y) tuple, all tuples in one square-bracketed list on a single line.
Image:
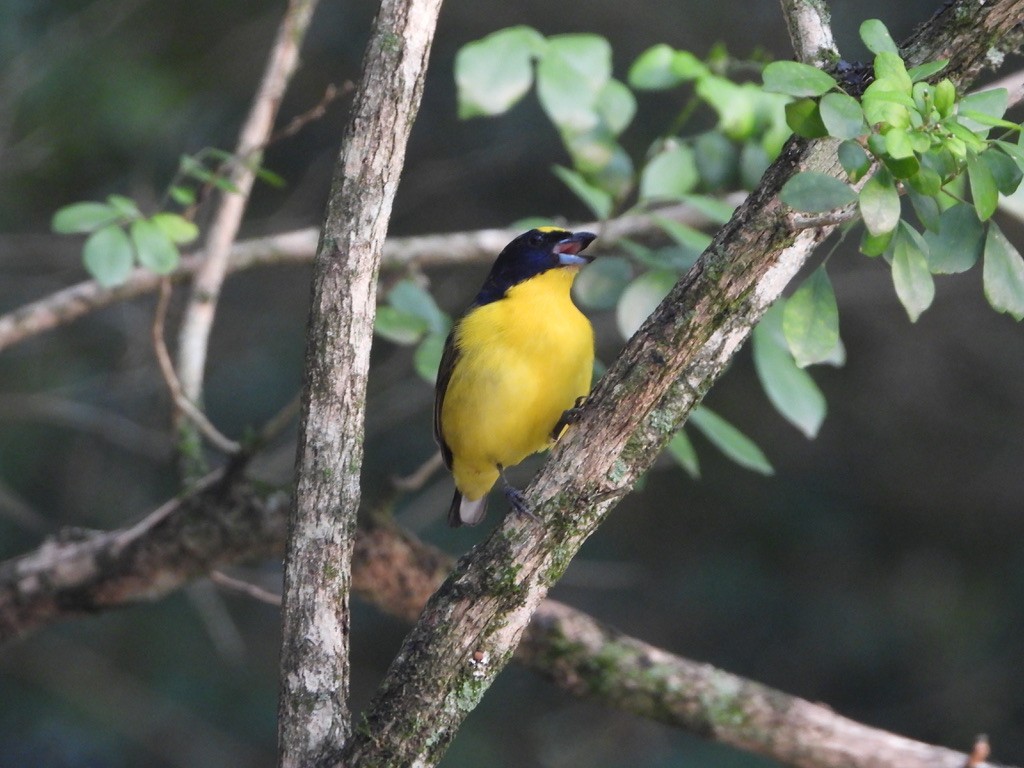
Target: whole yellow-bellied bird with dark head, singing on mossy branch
[(514, 368)]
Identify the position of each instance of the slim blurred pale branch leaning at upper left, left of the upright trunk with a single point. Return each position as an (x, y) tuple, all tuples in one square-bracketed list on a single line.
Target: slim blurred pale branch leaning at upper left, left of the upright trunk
[(194, 339)]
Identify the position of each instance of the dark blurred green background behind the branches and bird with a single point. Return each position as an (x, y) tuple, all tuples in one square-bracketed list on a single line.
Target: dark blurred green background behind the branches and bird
[(881, 571)]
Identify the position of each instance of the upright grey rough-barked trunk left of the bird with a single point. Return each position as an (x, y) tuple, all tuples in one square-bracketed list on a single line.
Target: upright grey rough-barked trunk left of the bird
[(314, 719)]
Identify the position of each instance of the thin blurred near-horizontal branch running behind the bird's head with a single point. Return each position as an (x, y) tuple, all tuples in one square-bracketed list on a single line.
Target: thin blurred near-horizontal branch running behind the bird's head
[(298, 247)]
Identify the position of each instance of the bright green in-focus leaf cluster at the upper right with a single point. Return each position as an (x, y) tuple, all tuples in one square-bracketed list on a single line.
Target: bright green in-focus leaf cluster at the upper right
[(910, 140)]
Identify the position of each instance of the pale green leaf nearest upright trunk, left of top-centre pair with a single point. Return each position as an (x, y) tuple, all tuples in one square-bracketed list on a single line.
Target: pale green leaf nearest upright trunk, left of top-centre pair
[(494, 73)]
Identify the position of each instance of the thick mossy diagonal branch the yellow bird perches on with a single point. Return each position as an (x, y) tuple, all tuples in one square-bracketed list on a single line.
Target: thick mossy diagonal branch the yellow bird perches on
[(665, 370)]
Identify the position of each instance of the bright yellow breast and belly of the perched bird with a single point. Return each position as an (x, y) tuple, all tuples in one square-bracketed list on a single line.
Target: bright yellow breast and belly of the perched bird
[(523, 361)]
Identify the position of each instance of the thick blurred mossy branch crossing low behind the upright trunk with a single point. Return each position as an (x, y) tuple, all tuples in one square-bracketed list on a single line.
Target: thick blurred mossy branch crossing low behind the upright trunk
[(398, 573)]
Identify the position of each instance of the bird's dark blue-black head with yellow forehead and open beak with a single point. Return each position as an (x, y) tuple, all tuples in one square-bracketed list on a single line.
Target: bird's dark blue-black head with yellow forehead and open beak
[(531, 254)]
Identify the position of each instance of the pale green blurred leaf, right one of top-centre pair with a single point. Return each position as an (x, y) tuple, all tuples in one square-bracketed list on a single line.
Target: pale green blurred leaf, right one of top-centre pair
[(571, 76)]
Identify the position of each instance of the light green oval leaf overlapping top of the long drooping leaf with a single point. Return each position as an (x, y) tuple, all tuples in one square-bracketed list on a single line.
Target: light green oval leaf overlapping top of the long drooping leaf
[(810, 321)]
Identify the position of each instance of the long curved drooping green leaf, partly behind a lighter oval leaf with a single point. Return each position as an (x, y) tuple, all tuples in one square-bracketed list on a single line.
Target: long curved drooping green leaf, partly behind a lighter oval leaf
[(791, 390)]
